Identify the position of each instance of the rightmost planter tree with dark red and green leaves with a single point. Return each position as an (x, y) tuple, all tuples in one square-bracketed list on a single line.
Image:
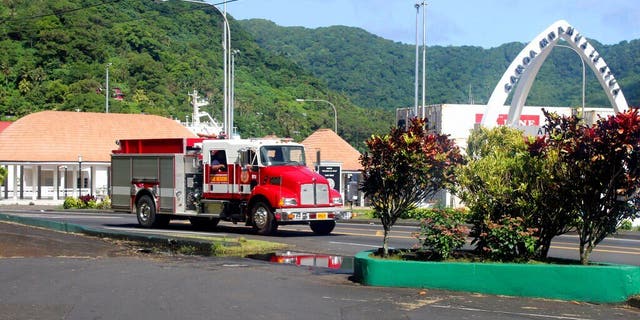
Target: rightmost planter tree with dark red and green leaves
[(602, 164)]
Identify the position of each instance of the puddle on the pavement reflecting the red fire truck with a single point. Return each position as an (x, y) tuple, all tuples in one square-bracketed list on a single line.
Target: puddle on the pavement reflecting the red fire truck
[(328, 263)]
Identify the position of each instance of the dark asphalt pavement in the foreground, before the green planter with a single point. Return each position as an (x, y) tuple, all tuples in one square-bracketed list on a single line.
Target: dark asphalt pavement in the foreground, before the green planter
[(64, 276)]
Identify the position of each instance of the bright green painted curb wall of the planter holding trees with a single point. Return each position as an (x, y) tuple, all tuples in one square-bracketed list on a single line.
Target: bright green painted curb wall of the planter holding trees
[(603, 283)]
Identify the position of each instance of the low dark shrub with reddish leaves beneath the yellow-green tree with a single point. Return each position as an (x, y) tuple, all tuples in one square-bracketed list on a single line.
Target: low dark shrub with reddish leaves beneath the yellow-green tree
[(508, 239)]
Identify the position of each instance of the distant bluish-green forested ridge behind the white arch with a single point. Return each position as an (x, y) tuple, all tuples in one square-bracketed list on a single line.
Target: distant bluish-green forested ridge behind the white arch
[(376, 72)]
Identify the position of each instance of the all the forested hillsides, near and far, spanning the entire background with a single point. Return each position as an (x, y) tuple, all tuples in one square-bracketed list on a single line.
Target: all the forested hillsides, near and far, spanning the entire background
[(55, 53)]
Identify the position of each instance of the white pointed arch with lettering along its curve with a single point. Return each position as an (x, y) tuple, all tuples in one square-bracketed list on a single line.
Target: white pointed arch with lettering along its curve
[(525, 67)]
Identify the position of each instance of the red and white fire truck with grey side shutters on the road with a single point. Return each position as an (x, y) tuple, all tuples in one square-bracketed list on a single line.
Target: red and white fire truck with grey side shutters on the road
[(262, 183)]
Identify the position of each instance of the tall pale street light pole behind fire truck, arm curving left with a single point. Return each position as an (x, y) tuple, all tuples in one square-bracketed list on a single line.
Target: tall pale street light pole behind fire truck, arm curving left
[(226, 47)]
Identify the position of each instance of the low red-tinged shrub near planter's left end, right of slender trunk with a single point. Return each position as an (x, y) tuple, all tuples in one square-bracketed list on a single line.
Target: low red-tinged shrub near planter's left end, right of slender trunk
[(442, 231)]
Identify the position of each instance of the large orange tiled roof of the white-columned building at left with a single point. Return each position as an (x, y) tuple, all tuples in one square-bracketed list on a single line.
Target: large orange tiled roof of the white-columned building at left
[(60, 136)]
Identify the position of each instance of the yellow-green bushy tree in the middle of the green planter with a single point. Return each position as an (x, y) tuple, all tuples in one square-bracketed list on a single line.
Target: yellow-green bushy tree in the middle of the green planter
[(509, 190)]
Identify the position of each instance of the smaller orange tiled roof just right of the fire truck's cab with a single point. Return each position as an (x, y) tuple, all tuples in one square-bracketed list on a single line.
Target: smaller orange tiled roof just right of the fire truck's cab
[(332, 149)]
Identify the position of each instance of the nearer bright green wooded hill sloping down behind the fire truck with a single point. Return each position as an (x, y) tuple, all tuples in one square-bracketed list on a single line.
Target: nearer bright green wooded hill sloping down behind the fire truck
[(54, 55)]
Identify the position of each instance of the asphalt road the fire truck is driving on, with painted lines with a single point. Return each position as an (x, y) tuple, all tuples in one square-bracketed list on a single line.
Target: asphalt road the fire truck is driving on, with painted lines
[(346, 240)]
